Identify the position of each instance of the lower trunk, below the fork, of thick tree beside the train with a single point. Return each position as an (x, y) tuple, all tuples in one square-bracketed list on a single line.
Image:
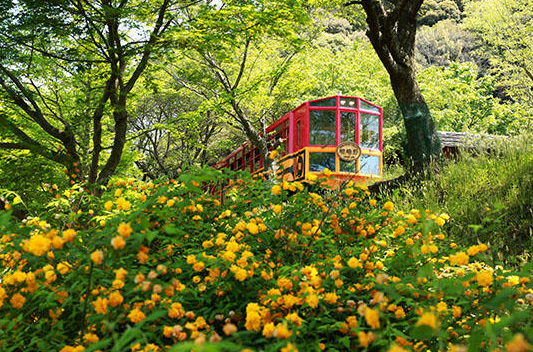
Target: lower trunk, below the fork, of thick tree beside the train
[(422, 139)]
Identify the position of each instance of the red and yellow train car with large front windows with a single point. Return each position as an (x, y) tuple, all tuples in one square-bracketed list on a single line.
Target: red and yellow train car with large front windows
[(309, 136)]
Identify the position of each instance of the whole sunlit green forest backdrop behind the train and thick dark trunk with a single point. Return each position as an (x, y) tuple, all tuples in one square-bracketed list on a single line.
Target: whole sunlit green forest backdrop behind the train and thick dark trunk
[(198, 79)]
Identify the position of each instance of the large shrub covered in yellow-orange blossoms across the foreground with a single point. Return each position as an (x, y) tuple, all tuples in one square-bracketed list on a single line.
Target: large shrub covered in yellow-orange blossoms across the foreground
[(269, 267)]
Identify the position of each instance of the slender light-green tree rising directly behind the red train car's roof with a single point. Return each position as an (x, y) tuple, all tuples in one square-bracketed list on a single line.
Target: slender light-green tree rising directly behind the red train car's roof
[(240, 49)]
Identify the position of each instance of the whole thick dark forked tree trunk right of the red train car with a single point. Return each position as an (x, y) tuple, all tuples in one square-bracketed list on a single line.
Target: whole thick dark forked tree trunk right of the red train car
[(392, 29)]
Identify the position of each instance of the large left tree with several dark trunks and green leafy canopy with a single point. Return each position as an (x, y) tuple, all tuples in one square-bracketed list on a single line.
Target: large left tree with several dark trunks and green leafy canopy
[(67, 73)]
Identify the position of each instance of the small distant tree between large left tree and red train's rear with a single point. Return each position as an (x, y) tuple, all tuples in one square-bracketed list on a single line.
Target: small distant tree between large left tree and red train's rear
[(174, 133)]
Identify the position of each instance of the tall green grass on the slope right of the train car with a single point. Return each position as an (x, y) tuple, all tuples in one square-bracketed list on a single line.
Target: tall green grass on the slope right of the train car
[(487, 193)]
